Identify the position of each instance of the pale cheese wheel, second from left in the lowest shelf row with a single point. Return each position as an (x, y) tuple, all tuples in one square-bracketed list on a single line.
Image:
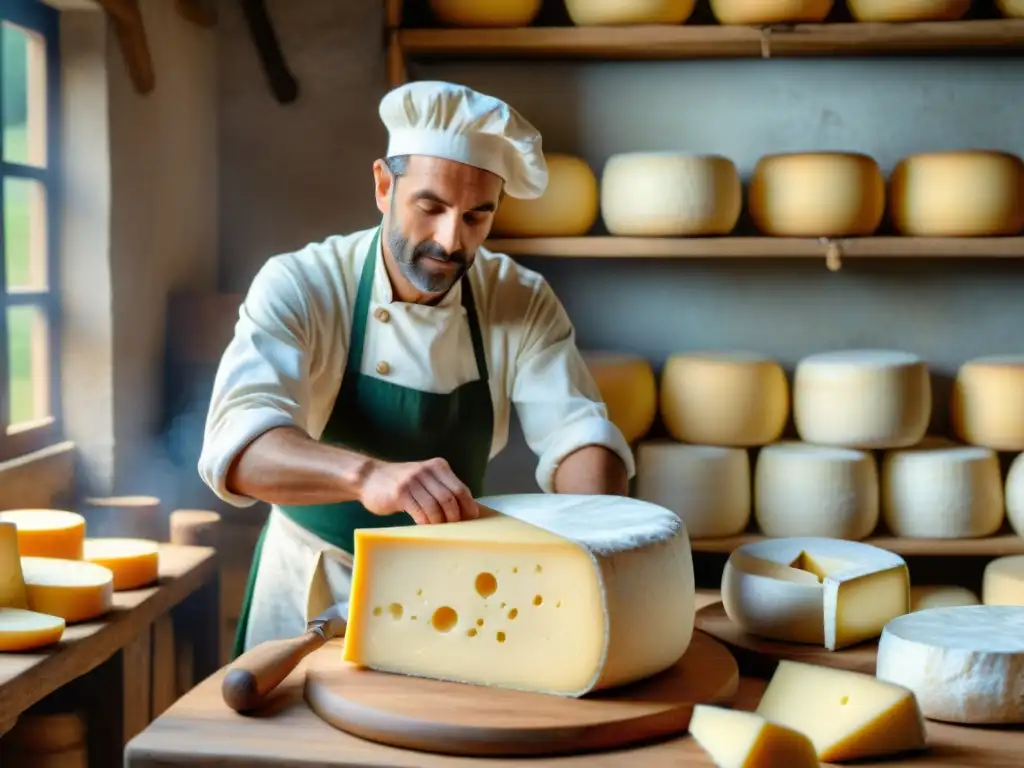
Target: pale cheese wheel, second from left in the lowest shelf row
[(819, 491)]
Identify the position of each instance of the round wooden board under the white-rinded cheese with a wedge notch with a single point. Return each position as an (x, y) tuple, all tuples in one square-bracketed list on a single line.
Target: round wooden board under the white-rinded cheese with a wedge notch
[(713, 620)]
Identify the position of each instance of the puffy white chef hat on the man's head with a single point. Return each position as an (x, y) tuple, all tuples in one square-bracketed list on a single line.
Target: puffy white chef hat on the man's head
[(444, 120)]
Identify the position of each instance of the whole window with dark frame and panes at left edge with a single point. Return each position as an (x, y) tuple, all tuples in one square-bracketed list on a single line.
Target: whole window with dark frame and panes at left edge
[(30, 405)]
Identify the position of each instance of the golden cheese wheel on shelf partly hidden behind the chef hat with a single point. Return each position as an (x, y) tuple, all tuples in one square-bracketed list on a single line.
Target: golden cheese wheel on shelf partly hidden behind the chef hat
[(568, 208)]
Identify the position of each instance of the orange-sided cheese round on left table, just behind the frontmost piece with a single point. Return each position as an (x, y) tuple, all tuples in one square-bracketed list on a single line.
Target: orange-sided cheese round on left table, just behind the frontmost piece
[(73, 590)]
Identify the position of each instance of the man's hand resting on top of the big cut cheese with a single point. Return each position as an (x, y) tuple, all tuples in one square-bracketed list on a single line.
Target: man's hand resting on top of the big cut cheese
[(429, 491)]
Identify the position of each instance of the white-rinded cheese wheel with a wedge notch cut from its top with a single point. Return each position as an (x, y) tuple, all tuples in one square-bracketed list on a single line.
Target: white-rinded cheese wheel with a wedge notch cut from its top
[(813, 590)]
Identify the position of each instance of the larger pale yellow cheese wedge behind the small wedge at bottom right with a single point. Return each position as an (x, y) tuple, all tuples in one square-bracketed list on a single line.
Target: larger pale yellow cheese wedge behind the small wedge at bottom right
[(847, 715)]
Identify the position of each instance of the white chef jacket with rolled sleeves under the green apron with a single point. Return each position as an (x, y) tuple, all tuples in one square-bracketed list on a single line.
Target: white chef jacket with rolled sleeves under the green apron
[(285, 364)]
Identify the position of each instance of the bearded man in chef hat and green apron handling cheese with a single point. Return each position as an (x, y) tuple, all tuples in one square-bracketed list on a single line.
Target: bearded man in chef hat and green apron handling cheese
[(370, 378)]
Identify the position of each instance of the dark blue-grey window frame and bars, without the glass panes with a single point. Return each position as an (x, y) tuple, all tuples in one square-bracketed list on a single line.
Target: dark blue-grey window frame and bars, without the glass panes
[(29, 438)]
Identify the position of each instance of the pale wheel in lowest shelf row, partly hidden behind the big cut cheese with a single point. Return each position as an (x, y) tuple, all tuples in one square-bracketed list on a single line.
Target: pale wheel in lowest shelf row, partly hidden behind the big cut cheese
[(707, 486)]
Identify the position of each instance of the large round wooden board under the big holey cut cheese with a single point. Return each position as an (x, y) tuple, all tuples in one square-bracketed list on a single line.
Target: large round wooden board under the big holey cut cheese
[(473, 720)]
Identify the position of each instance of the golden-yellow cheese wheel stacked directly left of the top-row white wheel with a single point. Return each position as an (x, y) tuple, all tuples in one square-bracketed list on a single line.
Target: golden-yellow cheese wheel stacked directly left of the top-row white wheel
[(724, 399)]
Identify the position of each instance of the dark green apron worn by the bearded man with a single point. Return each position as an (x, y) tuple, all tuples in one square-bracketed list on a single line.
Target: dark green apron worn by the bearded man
[(396, 424)]
